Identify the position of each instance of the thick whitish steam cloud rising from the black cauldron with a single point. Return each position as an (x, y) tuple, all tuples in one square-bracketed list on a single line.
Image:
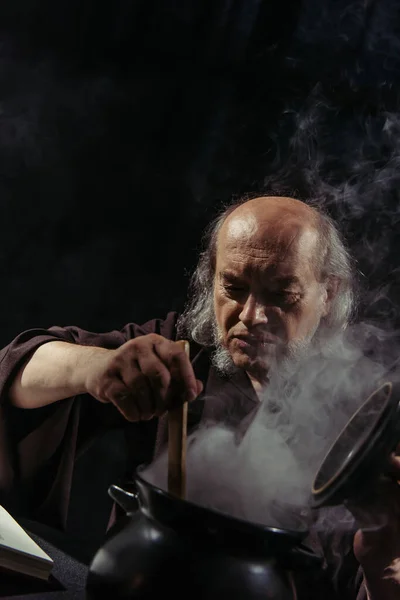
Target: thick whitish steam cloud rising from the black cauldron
[(264, 474)]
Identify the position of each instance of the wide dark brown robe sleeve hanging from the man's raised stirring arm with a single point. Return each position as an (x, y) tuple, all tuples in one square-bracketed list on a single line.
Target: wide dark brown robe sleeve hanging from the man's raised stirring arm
[(38, 446)]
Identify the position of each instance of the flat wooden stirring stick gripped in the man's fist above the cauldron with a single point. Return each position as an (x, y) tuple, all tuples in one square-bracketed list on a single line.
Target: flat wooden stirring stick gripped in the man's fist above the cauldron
[(177, 431)]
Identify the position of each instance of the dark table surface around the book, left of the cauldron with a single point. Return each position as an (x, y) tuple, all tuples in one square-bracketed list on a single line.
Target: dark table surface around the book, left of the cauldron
[(68, 577)]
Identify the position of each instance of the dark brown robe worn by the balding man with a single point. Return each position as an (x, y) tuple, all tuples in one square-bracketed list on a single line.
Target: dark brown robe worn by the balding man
[(39, 447)]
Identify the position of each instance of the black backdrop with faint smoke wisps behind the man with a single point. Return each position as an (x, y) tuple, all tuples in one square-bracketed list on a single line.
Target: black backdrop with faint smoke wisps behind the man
[(125, 125)]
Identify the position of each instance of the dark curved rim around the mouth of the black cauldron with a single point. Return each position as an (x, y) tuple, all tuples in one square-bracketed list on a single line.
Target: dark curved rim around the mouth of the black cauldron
[(249, 527)]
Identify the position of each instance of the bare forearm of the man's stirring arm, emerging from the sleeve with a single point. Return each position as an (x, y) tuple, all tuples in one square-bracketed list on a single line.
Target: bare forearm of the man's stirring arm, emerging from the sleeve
[(56, 370)]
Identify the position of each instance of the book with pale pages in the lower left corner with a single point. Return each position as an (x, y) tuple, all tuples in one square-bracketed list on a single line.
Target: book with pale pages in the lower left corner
[(18, 551)]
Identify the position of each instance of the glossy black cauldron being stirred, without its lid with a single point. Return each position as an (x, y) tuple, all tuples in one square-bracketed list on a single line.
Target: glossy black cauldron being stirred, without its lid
[(171, 546)]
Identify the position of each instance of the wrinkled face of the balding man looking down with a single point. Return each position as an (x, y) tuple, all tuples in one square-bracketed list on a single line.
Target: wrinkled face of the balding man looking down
[(266, 293)]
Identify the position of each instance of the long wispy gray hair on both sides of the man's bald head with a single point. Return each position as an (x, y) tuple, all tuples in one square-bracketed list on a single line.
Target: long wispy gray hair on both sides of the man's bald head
[(197, 321)]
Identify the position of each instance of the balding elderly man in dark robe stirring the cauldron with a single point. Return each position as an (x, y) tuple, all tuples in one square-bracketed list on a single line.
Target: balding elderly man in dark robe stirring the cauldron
[(273, 276)]
